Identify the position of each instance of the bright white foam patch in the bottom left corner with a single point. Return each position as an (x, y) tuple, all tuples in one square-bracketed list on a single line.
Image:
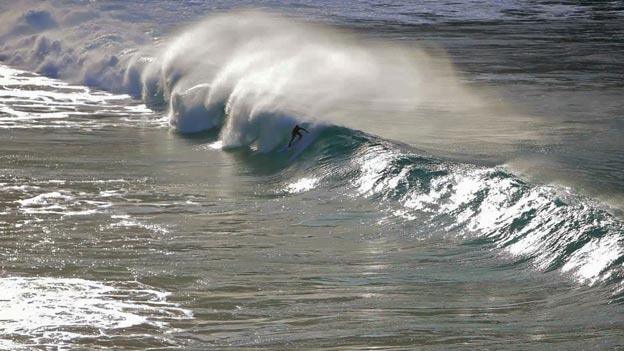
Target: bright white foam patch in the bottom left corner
[(54, 312)]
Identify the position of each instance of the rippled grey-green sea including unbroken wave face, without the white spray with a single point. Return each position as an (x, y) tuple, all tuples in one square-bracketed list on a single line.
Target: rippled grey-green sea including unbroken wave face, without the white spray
[(118, 233)]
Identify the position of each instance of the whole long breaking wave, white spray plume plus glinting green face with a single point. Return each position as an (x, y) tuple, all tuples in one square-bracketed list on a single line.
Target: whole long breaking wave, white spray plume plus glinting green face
[(251, 76)]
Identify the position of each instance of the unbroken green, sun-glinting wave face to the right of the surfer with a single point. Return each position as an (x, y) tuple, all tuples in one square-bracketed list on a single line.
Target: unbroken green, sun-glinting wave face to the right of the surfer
[(550, 226)]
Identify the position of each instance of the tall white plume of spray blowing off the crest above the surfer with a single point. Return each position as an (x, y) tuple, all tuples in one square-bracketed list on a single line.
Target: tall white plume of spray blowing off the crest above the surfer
[(253, 71)]
